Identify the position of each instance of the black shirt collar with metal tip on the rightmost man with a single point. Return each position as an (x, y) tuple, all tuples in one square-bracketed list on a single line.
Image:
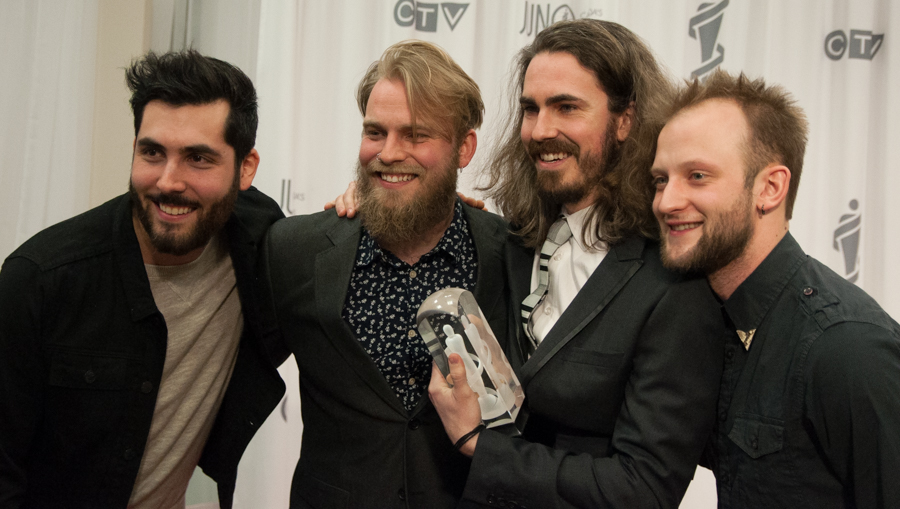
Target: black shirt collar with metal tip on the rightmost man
[(751, 301)]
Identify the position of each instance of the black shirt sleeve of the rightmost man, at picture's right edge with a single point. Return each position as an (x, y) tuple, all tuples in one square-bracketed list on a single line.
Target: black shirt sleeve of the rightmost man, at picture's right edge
[(853, 406)]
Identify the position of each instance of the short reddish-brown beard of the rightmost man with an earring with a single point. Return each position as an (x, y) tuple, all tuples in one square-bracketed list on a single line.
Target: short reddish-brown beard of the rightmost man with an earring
[(724, 240)]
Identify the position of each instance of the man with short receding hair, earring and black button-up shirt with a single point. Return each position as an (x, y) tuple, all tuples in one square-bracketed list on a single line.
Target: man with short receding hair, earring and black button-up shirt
[(809, 407)]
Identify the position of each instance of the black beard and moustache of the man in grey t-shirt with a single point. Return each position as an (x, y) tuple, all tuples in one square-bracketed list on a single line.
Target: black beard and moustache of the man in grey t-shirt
[(165, 238)]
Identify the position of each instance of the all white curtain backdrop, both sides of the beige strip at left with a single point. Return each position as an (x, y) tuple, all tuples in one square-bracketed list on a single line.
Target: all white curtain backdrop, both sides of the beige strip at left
[(306, 57)]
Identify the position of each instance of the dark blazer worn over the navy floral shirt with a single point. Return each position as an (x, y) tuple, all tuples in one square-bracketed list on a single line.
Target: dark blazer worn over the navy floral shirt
[(360, 446)]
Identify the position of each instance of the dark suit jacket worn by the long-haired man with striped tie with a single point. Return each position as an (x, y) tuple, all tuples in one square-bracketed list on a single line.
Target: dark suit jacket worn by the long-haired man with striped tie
[(621, 392)]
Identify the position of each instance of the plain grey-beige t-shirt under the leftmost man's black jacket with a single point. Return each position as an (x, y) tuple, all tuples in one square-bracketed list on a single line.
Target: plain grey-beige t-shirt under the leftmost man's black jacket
[(200, 304)]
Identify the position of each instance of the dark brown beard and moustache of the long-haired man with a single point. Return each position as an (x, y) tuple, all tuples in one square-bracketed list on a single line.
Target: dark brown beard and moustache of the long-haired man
[(551, 188)]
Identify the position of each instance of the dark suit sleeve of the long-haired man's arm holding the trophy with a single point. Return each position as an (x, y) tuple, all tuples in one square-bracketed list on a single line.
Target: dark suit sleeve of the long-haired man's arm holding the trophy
[(661, 429)]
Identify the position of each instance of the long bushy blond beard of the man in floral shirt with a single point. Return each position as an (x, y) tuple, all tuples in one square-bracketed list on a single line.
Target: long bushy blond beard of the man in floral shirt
[(394, 219)]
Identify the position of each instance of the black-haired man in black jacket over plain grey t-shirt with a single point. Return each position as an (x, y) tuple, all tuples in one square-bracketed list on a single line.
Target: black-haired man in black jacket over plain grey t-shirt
[(130, 335)]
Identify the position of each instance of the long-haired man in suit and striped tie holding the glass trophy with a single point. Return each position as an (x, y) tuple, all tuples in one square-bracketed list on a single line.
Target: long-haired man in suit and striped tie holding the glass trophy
[(620, 359)]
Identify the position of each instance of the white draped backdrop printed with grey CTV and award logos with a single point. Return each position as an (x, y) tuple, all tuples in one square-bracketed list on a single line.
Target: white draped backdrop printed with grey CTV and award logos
[(836, 57)]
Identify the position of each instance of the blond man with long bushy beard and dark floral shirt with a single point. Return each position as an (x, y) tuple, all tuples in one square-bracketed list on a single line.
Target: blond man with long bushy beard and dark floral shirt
[(346, 292)]
